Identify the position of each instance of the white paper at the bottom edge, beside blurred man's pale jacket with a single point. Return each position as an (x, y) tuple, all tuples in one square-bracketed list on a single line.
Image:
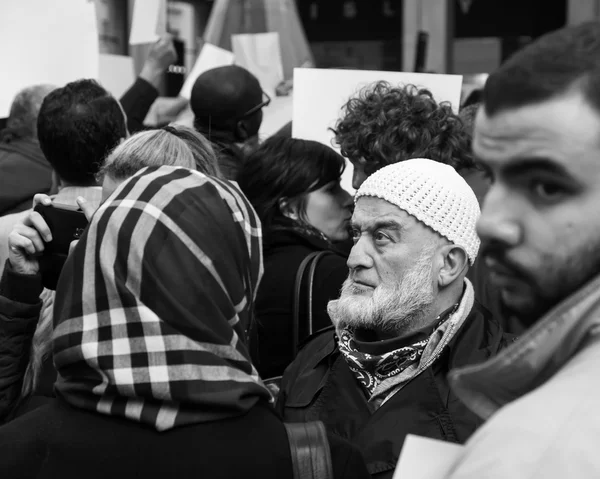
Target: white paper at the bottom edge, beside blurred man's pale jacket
[(425, 458)]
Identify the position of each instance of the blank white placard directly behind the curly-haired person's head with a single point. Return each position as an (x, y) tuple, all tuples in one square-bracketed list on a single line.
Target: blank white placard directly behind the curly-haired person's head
[(320, 94)]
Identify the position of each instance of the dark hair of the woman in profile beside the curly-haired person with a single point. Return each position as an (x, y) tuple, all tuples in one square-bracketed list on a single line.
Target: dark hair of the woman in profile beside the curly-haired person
[(287, 168)]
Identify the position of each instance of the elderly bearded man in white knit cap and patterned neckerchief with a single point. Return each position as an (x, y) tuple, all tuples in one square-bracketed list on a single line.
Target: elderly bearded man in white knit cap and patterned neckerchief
[(406, 316)]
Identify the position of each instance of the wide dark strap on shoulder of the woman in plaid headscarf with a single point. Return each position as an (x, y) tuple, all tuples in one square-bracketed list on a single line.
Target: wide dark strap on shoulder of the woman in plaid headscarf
[(309, 448)]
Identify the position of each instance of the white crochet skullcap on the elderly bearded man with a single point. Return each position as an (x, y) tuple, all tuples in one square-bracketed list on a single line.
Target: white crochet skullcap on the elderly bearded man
[(432, 192)]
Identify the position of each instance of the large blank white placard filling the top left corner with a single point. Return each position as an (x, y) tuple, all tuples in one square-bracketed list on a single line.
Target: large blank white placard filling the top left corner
[(60, 45)]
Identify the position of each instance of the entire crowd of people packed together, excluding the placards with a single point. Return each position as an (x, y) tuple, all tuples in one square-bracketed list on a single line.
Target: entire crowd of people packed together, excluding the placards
[(230, 309)]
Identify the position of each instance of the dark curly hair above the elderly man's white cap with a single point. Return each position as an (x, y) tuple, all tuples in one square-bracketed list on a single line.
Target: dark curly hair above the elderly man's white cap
[(385, 125)]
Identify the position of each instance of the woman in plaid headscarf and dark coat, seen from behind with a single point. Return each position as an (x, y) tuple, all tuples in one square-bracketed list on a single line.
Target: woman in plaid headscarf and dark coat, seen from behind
[(152, 315)]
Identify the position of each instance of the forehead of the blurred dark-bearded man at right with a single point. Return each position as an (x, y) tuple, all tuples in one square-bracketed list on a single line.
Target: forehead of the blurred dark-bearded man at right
[(565, 130)]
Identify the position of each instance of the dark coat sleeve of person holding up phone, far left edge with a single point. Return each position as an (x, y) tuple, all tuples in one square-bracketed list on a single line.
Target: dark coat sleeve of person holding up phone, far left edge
[(20, 307)]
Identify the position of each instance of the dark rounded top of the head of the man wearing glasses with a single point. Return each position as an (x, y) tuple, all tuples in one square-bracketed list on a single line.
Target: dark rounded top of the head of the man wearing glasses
[(224, 94)]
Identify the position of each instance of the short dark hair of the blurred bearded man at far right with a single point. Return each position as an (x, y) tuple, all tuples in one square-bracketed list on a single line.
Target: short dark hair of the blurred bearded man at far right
[(546, 68)]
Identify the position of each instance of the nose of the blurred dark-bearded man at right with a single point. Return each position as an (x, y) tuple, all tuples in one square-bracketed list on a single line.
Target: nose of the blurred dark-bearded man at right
[(499, 221)]
